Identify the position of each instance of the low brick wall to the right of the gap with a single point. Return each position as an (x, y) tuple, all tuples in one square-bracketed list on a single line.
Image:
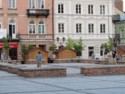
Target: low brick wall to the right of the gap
[(103, 70)]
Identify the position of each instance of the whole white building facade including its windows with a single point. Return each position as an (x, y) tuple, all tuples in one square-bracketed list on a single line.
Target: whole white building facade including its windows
[(90, 20)]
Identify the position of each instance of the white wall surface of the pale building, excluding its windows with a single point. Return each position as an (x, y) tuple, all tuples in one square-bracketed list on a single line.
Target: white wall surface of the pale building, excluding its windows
[(70, 18)]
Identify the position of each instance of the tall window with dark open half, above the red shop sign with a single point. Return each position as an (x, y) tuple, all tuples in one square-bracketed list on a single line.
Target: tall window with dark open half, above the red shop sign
[(12, 29)]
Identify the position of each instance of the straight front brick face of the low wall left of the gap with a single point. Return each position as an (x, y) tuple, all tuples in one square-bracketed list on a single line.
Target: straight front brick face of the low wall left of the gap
[(56, 72)]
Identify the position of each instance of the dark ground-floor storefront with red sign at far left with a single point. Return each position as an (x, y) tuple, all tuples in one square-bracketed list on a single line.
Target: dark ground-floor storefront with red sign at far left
[(12, 51)]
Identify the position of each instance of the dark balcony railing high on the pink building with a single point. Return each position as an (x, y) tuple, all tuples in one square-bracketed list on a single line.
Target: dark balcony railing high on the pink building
[(38, 12)]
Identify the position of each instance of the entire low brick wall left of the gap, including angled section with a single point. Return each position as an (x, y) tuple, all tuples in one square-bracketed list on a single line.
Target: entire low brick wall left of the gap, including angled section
[(33, 72)]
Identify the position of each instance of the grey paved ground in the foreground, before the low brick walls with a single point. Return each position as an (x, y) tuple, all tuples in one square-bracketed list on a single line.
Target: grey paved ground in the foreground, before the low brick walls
[(13, 84)]
